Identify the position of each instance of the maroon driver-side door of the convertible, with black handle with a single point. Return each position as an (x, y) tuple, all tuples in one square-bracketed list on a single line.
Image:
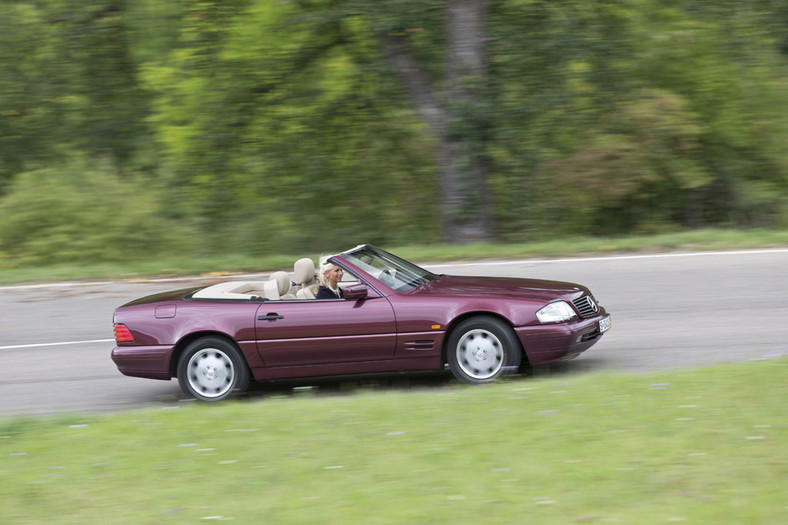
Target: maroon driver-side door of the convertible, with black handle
[(315, 332)]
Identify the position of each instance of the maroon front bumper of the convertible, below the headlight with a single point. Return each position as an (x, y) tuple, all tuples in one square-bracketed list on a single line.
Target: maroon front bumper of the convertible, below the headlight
[(545, 344)]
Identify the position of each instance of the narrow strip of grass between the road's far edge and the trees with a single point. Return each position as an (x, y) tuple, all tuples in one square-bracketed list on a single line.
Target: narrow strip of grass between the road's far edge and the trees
[(696, 240)]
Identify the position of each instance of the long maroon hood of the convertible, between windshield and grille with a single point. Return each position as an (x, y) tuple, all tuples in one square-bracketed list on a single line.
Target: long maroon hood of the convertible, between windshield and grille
[(501, 287)]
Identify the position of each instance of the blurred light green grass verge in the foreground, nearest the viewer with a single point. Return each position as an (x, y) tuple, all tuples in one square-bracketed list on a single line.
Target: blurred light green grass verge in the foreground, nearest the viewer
[(700, 446)]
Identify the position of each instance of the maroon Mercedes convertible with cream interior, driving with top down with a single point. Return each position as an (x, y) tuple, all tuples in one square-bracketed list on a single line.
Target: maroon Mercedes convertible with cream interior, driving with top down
[(395, 317)]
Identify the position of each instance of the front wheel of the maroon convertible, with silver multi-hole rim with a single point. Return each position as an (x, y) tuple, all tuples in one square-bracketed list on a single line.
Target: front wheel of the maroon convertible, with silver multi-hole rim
[(481, 349)]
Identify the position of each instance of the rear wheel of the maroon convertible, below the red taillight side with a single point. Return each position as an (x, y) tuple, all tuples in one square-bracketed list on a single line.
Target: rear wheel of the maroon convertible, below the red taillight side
[(212, 369)]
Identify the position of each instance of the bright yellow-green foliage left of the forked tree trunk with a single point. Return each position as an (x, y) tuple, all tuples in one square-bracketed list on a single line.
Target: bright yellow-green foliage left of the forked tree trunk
[(306, 153)]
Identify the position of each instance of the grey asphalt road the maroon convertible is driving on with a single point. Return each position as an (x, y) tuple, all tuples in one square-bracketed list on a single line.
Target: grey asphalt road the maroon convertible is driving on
[(670, 311)]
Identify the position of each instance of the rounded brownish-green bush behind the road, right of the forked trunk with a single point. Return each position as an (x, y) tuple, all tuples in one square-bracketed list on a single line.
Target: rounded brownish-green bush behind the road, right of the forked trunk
[(640, 169)]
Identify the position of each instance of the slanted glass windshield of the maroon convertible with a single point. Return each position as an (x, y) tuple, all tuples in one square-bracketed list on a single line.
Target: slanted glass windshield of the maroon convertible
[(389, 269)]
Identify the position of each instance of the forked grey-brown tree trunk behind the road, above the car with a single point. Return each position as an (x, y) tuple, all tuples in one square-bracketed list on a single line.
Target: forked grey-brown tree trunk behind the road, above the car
[(463, 170)]
